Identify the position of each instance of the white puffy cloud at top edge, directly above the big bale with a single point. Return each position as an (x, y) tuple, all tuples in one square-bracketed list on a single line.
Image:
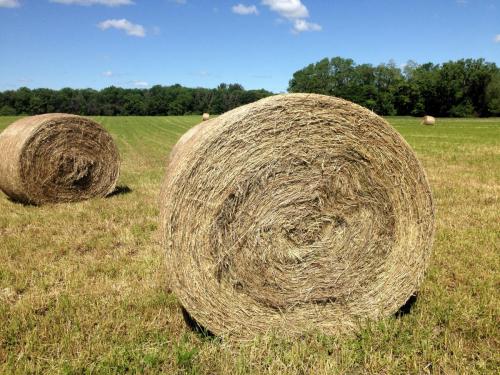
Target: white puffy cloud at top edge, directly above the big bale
[(295, 12)]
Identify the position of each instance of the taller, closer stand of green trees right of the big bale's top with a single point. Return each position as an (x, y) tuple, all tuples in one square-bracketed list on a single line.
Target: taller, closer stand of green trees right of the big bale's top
[(463, 88)]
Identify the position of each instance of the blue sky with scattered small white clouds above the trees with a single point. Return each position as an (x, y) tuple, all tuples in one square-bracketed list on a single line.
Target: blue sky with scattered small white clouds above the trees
[(258, 43)]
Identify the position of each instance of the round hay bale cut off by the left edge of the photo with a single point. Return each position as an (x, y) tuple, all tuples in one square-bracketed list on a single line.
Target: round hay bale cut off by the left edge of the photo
[(56, 158)]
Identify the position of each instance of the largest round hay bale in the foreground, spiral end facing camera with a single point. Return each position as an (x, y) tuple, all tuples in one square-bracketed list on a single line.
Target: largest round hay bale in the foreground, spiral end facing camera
[(298, 212)]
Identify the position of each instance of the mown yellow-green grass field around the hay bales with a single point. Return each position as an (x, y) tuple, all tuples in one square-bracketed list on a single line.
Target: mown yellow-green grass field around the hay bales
[(82, 286)]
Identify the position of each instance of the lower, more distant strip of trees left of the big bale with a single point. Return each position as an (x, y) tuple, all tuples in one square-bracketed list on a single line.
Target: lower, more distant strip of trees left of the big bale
[(111, 101)]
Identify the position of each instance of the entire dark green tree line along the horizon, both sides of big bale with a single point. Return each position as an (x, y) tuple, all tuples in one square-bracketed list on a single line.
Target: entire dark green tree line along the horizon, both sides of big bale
[(462, 88)]
